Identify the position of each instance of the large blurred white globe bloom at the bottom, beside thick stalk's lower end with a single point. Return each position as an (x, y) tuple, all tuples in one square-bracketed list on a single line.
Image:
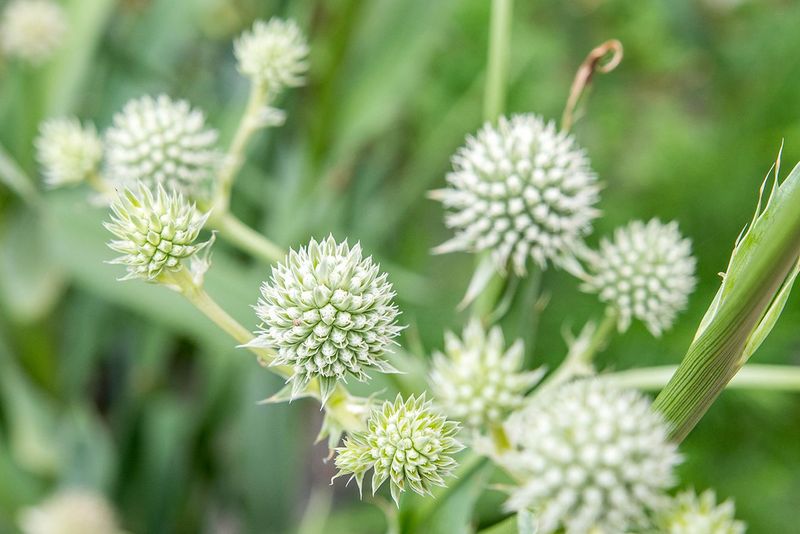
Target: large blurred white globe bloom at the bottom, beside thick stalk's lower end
[(590, 456)]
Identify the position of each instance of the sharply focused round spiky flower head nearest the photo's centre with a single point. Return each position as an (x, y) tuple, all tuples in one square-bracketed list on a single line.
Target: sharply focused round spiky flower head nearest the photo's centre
[(329, 313)]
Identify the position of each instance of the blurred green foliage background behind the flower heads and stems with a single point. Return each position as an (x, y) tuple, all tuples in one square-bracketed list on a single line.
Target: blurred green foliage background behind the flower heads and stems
[(125, 388)]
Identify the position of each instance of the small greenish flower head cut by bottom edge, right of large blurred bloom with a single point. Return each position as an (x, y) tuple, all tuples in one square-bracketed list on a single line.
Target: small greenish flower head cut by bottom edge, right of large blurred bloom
[(690, 513)]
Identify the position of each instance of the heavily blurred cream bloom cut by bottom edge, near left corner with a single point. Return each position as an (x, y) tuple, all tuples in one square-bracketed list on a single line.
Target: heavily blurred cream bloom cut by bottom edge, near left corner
[(73, 511)]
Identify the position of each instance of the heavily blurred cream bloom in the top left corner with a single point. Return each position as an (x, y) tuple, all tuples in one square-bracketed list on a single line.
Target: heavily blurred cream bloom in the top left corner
[(32, 30)]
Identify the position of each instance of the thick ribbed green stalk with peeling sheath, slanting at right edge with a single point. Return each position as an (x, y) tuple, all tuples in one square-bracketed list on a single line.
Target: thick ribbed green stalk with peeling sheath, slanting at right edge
[(758, 269)]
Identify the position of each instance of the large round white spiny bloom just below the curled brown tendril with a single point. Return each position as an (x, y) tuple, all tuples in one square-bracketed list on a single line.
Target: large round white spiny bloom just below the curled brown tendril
[(520, 189)]
